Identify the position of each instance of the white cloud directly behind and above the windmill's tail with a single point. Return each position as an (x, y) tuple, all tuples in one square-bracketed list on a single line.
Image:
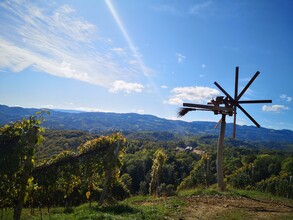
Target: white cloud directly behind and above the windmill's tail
[(196, 94)]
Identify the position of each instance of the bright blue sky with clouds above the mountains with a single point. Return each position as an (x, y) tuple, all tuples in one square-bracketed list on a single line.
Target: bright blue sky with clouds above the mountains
[(147, 56)]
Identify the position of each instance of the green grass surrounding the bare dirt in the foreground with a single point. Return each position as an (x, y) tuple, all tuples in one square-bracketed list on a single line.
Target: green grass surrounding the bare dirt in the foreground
[(148, 207)]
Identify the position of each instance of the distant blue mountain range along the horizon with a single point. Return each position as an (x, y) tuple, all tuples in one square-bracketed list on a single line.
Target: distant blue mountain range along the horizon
[(98, 122)]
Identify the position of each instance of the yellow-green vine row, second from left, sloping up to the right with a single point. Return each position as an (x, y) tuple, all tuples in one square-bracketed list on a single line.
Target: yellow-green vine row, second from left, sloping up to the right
[(66, 178)]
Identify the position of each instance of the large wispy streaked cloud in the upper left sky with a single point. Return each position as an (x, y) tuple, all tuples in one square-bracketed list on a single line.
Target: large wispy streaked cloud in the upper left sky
[(55, 40)]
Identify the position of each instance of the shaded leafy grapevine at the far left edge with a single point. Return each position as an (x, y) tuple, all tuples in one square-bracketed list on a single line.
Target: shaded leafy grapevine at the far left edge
[(18, 146)]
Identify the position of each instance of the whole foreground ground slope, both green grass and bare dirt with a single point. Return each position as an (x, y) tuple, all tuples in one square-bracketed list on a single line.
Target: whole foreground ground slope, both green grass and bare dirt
[(189, 204)]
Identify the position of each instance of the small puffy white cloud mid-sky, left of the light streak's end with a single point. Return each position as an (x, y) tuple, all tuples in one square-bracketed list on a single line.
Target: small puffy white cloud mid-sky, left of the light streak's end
[(122, 86)]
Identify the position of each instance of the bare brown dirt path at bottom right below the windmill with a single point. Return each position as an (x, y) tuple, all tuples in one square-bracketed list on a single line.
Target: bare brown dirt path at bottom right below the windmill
[(229, 207)]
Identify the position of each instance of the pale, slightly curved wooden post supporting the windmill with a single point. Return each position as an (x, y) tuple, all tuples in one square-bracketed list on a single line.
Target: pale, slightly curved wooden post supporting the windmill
[(220, 151)]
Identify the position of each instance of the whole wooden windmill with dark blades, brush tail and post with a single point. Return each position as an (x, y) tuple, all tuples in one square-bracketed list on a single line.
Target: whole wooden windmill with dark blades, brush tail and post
[(225, 106)]
